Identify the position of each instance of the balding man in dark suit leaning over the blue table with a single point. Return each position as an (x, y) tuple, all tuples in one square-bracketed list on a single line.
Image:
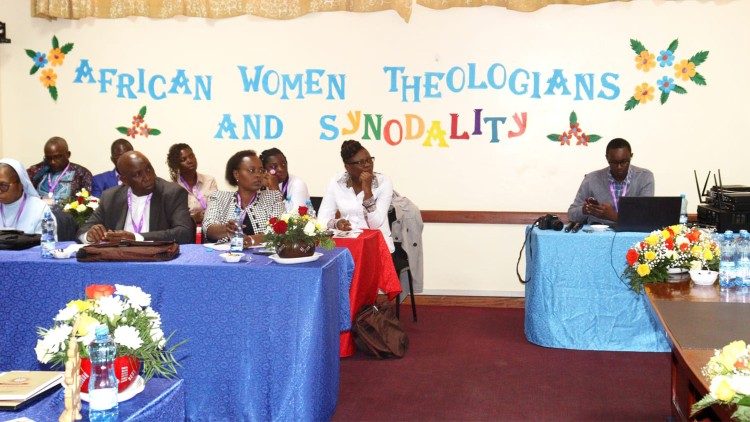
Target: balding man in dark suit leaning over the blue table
[(145, 207)]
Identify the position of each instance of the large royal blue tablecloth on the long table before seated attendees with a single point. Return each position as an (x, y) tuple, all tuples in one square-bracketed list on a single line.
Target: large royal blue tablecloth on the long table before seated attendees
[(262, 337)]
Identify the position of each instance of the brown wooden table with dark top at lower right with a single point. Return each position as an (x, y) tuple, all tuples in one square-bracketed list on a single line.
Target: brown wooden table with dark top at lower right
[(698, 320)]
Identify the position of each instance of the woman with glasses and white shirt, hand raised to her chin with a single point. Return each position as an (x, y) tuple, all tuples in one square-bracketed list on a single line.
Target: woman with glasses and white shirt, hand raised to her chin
[(361, 196)]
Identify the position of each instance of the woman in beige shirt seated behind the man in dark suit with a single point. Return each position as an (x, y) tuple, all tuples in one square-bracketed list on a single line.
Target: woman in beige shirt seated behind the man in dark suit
[(182, 168)]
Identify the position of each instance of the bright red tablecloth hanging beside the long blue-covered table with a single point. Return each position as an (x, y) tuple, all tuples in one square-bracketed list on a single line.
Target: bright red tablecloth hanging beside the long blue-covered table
[(373, 272)]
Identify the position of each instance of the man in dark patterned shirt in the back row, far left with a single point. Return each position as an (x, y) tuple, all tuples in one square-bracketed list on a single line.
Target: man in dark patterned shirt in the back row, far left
[(56, 178)]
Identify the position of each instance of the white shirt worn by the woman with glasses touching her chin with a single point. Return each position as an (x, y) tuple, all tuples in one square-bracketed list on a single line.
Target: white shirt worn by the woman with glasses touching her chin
[(341, 197)]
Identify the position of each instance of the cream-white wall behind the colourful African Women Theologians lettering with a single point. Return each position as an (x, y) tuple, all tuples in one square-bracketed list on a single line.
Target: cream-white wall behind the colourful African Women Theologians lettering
[(704, 129)]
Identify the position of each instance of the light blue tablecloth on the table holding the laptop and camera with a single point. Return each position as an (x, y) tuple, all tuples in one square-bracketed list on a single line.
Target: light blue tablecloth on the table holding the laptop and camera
[(575, 298)]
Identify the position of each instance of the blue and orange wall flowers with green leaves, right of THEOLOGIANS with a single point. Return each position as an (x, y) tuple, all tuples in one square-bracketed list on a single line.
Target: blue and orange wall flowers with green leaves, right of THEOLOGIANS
[(684, 70)]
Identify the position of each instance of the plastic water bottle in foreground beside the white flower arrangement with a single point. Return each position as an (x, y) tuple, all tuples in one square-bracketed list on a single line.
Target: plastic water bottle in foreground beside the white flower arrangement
[(103, 406)]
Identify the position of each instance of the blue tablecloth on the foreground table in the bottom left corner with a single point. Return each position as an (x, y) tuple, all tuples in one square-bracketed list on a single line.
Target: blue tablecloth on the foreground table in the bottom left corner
[(161, 400)]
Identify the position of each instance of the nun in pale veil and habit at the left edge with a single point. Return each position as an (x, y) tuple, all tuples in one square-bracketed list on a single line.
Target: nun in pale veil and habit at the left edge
[(20, 205)]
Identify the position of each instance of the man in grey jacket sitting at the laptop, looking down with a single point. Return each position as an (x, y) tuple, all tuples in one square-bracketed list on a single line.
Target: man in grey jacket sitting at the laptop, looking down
[(600, 192)]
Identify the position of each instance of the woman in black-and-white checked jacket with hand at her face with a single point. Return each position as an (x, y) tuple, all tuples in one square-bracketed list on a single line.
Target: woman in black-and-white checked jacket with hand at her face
[(254, 204)]
